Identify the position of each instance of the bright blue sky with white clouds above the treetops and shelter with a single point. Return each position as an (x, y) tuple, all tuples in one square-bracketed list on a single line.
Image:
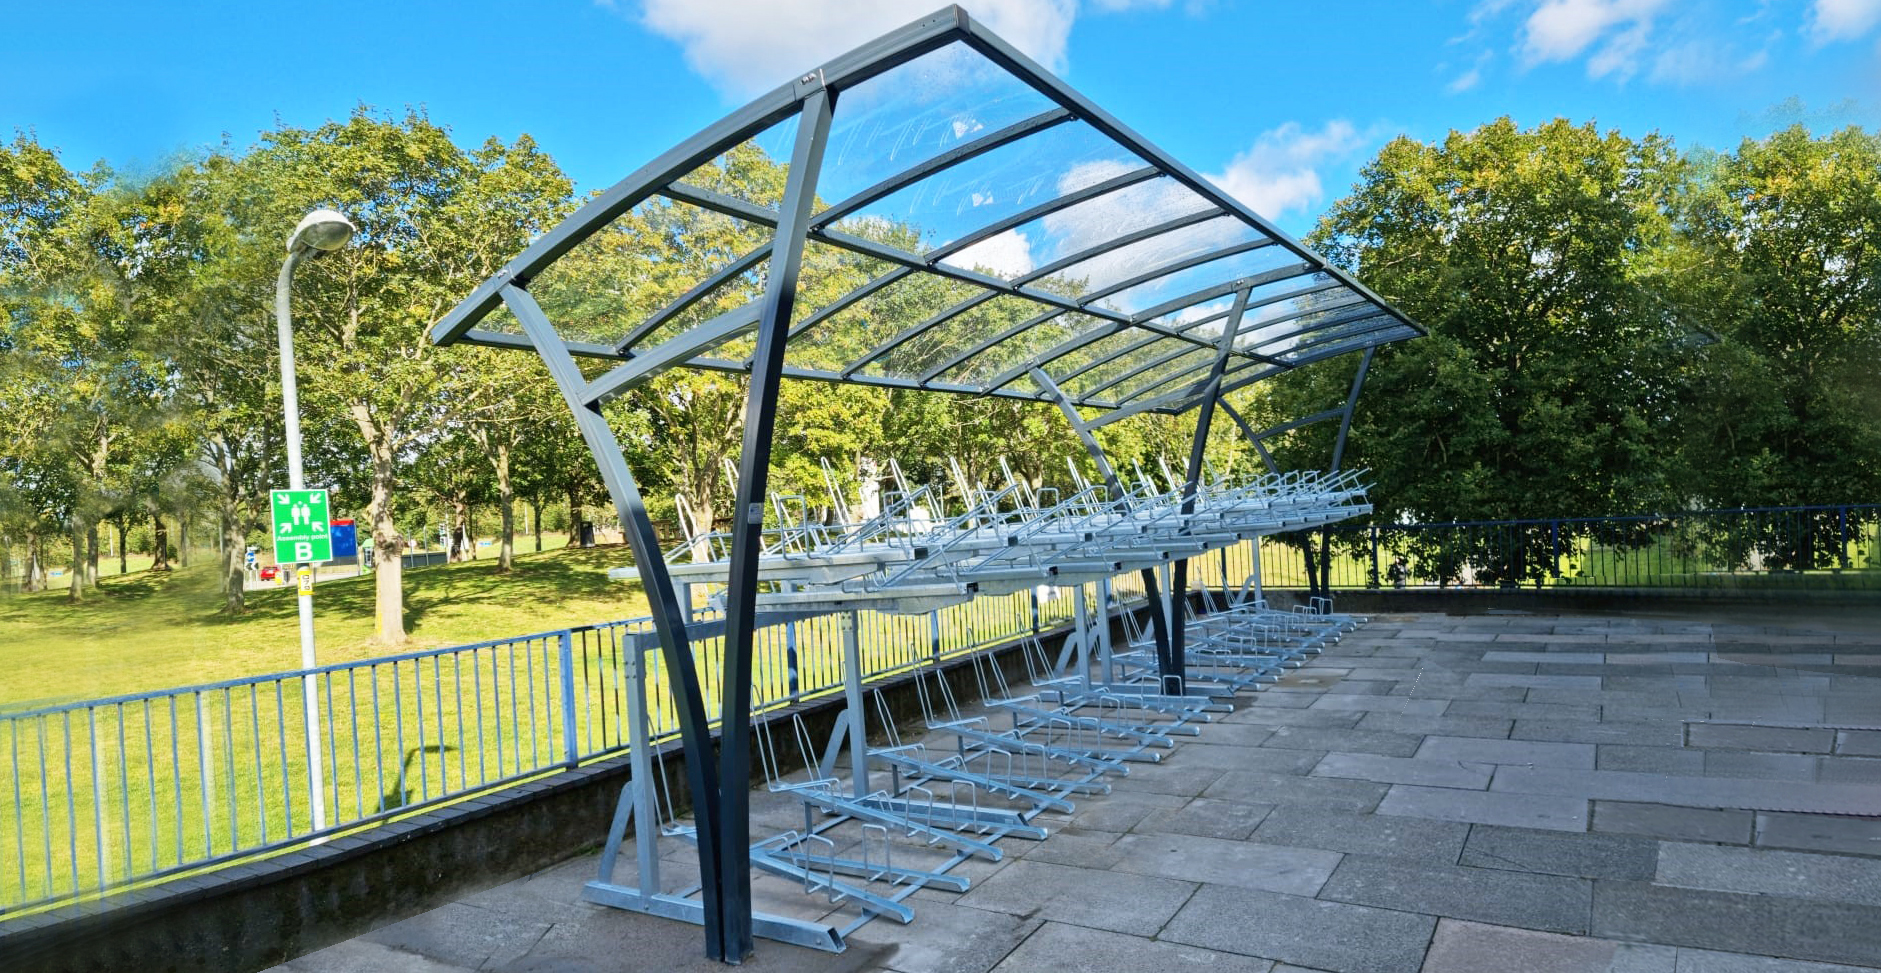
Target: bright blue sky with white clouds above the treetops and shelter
[(1278, 103)]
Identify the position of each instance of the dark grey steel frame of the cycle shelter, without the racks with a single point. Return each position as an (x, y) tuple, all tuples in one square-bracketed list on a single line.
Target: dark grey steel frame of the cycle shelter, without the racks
[(721, 784)]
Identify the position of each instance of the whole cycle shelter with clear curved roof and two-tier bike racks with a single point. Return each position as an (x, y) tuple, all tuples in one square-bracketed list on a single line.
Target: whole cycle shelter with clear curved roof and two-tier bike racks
[(930, 212)]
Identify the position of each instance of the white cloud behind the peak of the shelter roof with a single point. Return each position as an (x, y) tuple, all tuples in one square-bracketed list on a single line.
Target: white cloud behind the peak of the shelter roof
[(751, 46)]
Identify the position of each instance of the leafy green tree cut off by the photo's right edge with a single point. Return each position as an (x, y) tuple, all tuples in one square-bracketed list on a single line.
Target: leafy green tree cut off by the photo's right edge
[(1786, 268)]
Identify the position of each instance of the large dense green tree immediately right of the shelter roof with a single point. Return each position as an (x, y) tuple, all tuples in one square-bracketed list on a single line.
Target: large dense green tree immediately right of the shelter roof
[(1549, 383)]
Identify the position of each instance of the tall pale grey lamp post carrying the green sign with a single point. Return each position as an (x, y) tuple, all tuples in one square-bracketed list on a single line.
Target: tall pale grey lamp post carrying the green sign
[(319, 232)]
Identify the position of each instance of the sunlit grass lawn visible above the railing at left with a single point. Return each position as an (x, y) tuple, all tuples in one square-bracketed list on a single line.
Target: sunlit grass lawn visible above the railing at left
[(157, 631)]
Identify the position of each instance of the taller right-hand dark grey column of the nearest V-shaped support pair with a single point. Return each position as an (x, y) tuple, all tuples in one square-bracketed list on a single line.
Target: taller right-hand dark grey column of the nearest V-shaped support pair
[(748, 517)]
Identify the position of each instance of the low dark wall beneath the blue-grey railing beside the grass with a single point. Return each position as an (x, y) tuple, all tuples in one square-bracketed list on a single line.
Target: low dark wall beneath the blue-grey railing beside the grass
[(266, 914)]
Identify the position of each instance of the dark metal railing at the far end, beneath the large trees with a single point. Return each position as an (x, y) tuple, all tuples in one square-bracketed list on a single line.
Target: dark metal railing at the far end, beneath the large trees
[(1754, 549)]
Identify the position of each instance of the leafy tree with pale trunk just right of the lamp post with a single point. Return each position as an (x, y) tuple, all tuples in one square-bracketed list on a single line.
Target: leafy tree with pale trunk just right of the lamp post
[(434, 223)]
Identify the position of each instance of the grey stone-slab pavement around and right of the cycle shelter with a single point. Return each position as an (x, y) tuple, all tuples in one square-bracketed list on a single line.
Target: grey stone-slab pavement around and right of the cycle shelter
[(1440, 795)]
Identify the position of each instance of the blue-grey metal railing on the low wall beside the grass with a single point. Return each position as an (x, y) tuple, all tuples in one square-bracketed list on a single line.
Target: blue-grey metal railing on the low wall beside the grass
[(99, 795)]
